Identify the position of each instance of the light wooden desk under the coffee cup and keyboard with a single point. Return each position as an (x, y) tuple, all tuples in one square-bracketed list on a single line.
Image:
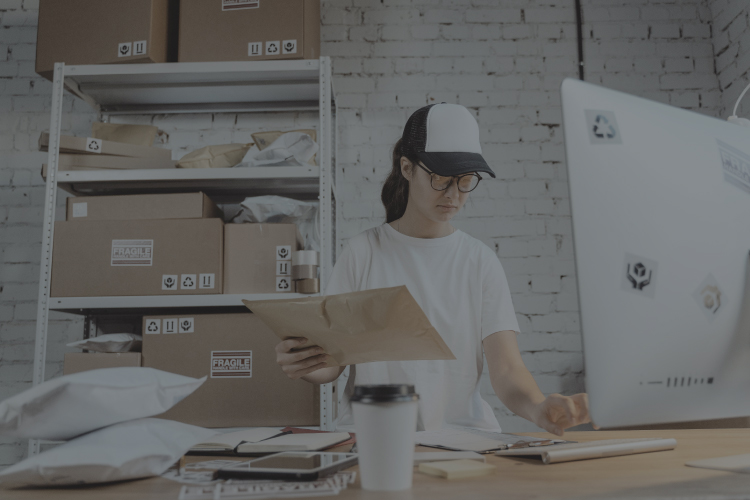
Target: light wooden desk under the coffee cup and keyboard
[(655, 475)]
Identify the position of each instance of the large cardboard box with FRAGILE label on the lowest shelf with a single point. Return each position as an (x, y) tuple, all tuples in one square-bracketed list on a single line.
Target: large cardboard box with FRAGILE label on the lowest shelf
[(245, 385)]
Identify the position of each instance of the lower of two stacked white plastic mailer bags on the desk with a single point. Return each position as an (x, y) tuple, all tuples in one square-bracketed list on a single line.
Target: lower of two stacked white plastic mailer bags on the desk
[(129, 450)]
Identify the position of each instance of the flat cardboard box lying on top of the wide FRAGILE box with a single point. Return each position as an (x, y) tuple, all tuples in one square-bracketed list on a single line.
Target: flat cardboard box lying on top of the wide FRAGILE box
[(143, 207)]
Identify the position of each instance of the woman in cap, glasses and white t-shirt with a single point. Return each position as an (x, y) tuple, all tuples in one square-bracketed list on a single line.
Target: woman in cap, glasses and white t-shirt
[(456, 279)]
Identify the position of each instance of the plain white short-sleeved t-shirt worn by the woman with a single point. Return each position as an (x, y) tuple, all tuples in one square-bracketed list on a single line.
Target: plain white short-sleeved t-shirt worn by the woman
[(461, 286)]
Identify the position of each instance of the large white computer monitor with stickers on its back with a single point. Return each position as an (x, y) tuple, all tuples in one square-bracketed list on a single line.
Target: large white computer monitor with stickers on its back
[(660, 200)]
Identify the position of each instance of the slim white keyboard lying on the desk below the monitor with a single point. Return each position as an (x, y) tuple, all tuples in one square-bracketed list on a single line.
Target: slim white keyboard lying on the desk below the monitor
[(567, 452)]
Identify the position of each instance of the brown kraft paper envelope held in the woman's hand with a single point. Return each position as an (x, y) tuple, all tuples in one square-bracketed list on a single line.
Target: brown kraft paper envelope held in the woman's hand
[(384, 324)]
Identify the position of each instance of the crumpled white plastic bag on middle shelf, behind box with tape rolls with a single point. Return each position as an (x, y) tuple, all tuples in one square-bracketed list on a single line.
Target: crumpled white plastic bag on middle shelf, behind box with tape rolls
[(281, 210)]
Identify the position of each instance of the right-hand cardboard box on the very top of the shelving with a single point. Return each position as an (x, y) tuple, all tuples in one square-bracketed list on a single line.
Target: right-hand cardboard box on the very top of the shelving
[(249, 30)]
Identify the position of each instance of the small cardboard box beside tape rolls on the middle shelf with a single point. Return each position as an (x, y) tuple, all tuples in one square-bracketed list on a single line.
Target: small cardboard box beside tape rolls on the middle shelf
[(257, 257)]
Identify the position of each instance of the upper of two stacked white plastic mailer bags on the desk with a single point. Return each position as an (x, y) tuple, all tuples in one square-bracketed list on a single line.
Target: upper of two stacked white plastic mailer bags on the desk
[(68, 406)]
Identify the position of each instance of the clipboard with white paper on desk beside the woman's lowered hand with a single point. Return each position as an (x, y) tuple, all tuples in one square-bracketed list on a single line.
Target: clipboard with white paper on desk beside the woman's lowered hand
[(470, 439)]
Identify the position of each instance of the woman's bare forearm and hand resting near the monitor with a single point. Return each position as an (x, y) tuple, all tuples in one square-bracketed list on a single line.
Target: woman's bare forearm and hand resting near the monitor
[(517, 389)]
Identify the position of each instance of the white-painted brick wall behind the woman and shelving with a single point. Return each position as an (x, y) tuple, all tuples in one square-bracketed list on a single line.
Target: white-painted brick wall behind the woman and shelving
[(504, 60)]
